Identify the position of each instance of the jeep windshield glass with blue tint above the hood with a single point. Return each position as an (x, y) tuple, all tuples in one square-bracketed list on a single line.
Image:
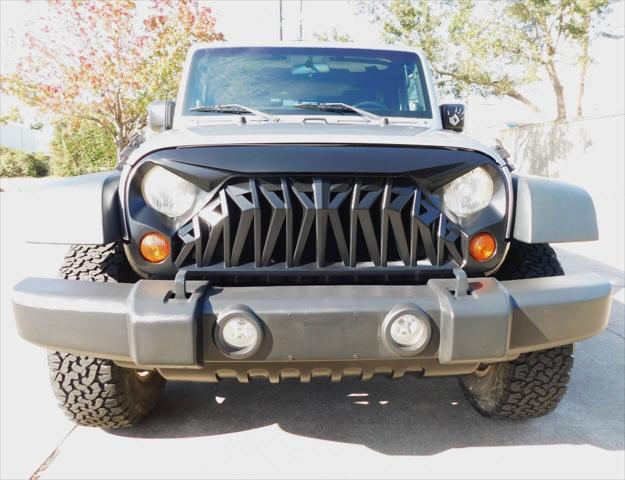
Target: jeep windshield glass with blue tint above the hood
[(277, 79)]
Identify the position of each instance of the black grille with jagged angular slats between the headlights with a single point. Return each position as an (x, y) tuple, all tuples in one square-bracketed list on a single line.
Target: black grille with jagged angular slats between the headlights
[(319, 223)]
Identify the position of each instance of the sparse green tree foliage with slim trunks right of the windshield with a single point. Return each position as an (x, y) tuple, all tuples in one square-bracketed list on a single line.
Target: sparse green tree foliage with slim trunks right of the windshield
[(491, 47)]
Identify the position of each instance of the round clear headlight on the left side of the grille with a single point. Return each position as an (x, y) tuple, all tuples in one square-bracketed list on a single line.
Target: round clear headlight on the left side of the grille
[(168, 193)]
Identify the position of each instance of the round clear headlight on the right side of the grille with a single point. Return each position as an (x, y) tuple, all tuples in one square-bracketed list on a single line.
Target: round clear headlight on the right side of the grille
[(469, 193)]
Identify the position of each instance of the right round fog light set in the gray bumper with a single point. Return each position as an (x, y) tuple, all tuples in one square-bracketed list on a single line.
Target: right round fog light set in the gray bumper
[(407, 330)]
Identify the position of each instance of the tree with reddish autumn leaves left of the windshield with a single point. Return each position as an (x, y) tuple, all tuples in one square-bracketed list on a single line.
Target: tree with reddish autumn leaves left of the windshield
[(104, 60)]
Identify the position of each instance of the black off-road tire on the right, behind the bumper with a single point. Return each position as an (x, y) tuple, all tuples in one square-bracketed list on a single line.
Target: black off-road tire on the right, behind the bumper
[(533, 384)]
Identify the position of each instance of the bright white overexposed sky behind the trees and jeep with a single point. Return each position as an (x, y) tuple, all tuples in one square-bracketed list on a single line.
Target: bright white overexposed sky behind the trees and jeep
[(258, 21)]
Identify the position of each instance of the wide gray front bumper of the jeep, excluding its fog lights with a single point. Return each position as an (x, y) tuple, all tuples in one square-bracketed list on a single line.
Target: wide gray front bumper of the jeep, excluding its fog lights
[(146, 325)]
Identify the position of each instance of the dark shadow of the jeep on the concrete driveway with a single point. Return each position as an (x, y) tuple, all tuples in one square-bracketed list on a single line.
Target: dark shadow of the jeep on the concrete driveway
[(407, 416)]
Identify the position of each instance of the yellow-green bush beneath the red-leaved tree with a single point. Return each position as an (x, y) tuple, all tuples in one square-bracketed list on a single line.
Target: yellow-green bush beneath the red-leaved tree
[(79, 148)]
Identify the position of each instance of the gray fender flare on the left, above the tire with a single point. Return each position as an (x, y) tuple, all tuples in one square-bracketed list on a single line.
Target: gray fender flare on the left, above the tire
[(77, 210)]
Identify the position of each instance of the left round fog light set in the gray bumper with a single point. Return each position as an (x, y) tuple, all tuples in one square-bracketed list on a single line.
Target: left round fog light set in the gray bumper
[(238, 333)]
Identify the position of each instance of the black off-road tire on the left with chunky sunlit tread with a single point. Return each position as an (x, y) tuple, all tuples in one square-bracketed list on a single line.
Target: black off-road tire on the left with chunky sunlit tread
[(93, 391)]
